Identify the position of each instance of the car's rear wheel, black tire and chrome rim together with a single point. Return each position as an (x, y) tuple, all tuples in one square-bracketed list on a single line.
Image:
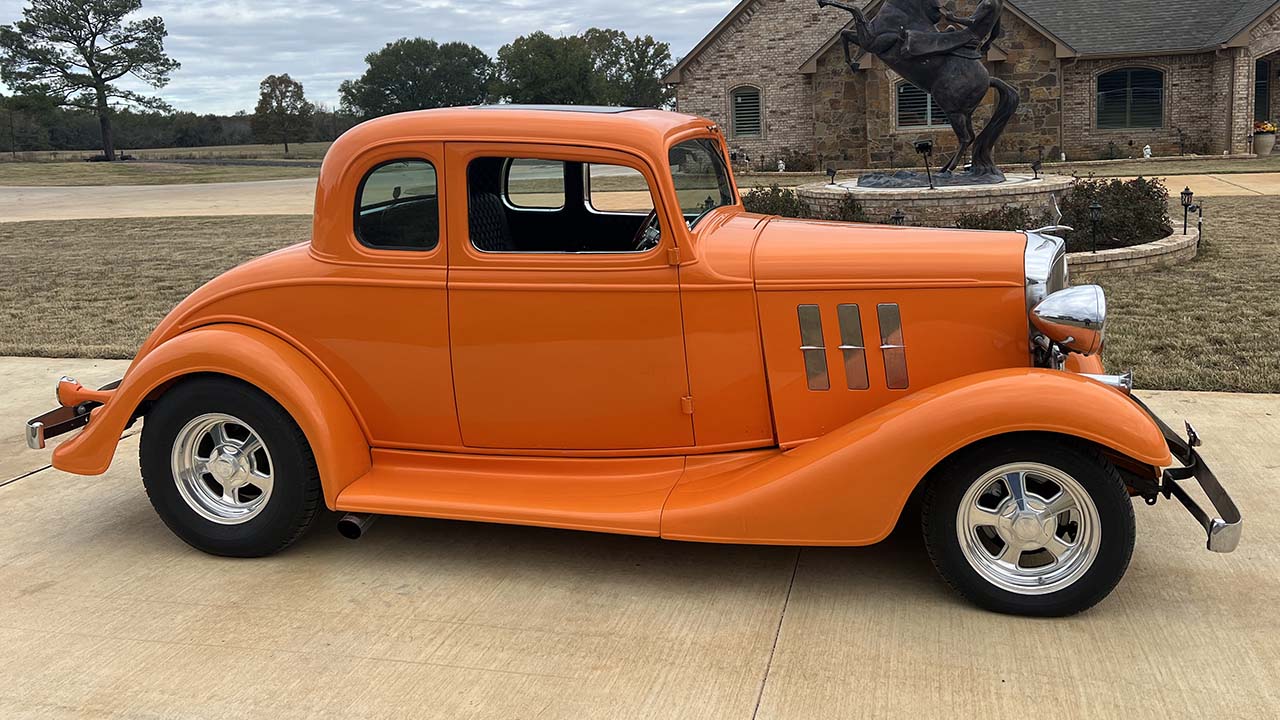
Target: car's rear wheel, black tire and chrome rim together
[(289, 508)]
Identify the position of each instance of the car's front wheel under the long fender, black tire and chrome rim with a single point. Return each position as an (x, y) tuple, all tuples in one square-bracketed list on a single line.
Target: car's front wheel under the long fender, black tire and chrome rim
[(947, 535)]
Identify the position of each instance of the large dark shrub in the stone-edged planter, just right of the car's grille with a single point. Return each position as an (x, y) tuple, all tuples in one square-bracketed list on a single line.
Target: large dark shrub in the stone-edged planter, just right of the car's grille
[(1133, 212)]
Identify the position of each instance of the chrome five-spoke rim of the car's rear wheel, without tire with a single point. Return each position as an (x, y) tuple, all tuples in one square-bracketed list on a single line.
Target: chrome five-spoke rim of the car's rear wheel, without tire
[(223, 470)]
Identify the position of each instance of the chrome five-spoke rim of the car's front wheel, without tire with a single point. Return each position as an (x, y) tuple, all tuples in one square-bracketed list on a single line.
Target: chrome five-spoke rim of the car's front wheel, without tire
[(1028, 528)]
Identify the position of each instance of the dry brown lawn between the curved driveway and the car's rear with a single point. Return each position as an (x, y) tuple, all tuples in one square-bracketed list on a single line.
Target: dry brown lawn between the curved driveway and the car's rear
[(97, 289)]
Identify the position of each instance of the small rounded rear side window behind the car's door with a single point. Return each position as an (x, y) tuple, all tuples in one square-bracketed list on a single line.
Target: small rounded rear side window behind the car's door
[(399, 207)]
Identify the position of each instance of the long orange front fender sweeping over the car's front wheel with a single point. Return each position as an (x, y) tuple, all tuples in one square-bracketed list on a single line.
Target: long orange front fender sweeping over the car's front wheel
[(851, 486)]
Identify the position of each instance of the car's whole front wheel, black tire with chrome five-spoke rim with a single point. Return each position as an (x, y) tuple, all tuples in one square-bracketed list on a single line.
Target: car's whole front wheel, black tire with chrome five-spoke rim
[(1030, 526)]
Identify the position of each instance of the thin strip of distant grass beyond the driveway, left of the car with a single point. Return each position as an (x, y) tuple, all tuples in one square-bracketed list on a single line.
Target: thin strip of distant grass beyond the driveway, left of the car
[(62, 175)]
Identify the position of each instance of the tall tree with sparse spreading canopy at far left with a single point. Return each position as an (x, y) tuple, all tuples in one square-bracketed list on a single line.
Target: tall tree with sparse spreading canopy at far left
[(76, 51)]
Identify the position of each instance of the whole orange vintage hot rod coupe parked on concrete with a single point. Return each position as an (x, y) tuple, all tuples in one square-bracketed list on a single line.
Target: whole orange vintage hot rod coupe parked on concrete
[(565, 317)]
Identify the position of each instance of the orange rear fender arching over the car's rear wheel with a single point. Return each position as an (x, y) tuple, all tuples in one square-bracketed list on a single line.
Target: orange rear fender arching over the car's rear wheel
[(254, 357)]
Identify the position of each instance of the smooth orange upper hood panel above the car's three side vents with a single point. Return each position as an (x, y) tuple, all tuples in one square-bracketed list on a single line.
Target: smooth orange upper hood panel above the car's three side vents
[(813, 254)]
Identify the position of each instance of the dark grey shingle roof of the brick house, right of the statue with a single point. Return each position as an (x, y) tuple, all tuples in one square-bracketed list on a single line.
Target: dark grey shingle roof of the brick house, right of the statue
[(1133, 28)]
